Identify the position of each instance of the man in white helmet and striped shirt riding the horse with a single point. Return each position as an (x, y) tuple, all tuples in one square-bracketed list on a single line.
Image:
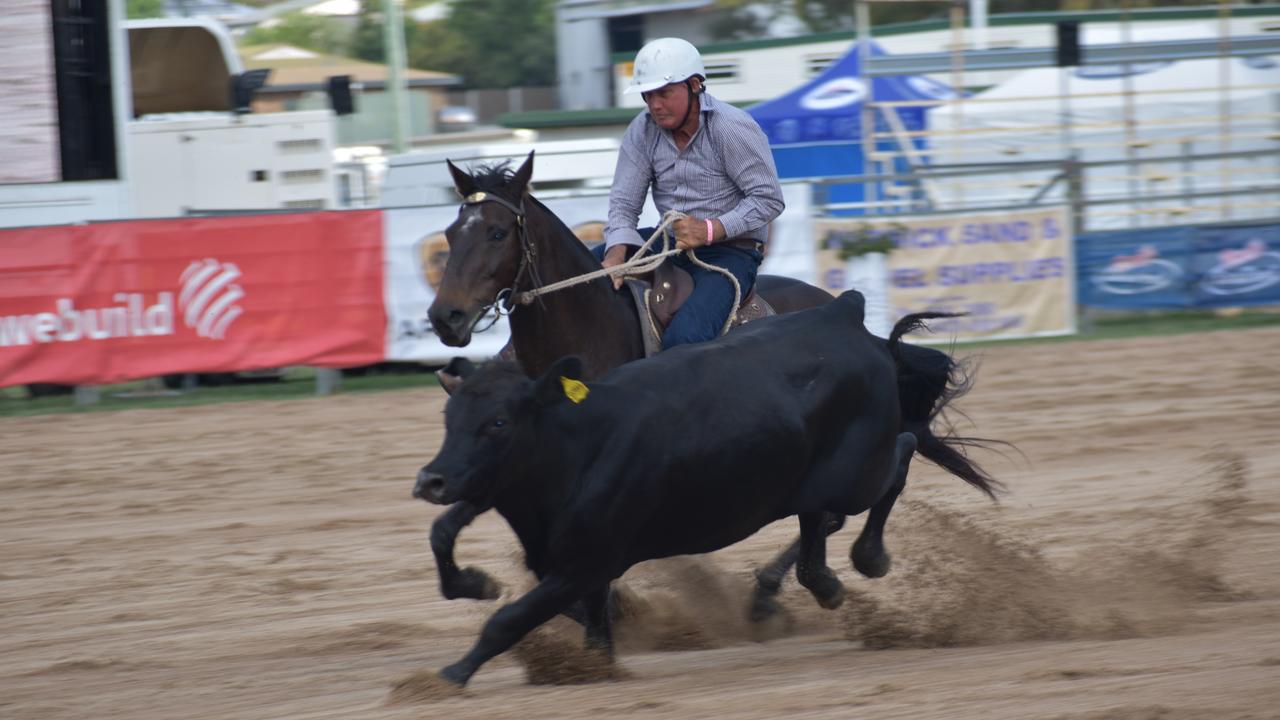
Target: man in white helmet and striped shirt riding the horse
[(707, 160)]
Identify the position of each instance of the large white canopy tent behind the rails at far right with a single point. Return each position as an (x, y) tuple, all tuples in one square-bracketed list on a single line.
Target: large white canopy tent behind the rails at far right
[(1126, 112)]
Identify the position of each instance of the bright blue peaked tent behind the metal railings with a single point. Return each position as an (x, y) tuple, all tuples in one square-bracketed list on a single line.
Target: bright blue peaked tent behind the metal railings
[(816, 130)]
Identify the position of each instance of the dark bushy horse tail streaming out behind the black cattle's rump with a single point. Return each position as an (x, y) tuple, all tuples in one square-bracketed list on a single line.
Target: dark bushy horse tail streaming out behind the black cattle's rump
[(929, 381)]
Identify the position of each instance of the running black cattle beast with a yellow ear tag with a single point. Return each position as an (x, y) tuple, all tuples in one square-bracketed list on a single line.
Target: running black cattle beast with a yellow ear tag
[(685, 453)]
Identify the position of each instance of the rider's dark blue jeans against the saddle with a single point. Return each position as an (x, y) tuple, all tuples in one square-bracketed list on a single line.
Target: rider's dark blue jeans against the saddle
[(703, 316)]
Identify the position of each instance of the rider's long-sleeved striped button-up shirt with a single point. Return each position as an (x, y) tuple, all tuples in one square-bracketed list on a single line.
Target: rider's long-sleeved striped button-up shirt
[(726, 172)]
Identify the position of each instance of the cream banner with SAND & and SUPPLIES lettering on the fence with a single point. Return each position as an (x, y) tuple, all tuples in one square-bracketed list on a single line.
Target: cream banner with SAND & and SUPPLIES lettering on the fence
[(1011, 274)]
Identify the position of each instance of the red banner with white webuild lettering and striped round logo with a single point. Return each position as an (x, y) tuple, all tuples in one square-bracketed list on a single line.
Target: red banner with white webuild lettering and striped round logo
[(115, 302)]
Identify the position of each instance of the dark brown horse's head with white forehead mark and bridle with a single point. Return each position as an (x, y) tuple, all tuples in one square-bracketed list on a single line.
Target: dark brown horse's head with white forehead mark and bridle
[(486, 248)]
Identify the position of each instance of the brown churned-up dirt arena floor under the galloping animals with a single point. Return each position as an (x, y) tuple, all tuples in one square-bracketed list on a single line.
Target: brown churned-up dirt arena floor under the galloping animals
[(267, 560)]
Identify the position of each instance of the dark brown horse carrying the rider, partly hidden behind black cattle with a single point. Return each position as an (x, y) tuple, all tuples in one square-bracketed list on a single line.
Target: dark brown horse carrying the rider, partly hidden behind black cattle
[(505, 241)]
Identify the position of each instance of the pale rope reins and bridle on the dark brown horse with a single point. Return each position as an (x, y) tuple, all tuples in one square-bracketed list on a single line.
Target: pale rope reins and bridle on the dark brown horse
[(639, 265)]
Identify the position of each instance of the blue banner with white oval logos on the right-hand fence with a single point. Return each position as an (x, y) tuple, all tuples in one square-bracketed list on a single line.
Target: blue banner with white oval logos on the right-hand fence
[(1191, 267)]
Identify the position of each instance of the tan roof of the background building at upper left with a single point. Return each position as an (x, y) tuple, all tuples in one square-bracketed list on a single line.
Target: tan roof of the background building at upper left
[(296, 66)]
